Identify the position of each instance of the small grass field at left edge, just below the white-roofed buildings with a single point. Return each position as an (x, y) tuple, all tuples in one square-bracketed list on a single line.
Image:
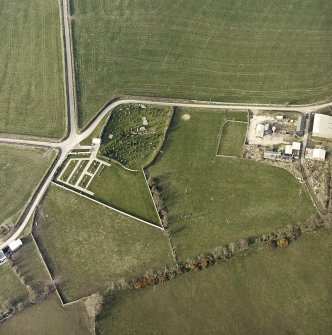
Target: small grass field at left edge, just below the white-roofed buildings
[(12, 290)]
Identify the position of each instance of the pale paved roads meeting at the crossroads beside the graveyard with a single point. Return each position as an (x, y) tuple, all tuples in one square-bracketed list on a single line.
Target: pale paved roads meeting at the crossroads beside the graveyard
[(74, 137)]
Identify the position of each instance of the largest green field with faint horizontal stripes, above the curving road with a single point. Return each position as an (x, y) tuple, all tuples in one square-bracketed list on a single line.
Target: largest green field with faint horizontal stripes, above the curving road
[(234, 51)]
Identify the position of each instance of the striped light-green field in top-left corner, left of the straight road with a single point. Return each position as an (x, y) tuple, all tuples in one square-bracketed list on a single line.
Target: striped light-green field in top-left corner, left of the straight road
[(31, 69)]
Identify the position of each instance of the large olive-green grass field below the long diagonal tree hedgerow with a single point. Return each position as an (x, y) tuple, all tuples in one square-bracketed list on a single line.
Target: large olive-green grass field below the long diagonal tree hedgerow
[(282, 291)]
